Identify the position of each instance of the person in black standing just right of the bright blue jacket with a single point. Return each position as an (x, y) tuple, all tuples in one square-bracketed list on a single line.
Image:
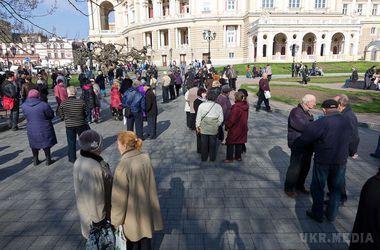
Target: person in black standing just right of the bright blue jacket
[(151, 111)]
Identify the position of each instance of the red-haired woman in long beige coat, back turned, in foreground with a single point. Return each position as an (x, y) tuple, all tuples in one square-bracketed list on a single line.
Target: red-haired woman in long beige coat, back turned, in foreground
[(134, 200)]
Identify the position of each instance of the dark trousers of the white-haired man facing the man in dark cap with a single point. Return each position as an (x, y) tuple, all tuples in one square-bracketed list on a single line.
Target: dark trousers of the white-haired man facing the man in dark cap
[(298, 170)]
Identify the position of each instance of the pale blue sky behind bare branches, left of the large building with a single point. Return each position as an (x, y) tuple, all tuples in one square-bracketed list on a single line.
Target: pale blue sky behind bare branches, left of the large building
[(67, 21)]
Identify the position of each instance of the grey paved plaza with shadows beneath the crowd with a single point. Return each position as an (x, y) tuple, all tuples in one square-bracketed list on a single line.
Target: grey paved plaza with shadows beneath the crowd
[(204, 205)]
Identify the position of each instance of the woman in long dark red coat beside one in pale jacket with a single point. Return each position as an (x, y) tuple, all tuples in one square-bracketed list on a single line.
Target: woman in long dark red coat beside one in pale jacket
[(237, 127)]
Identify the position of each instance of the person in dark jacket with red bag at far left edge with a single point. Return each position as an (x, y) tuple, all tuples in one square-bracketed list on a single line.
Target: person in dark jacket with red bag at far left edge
[(10, 89)]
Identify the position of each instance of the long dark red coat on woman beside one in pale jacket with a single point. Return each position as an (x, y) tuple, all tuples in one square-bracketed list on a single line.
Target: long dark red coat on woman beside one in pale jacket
[(237, 123)]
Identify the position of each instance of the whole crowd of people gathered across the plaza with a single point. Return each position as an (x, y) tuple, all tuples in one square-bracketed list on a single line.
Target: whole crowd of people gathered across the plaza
[(128, 199)]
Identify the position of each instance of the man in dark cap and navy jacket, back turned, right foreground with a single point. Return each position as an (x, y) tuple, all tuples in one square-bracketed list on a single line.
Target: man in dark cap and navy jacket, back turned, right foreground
[(330, 137)]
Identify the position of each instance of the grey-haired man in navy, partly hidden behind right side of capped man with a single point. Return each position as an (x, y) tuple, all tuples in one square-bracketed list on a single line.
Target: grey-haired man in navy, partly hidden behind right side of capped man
[(345, 109)]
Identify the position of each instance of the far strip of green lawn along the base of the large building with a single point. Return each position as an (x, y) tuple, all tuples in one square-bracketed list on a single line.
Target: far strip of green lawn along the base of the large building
[(328, 67)]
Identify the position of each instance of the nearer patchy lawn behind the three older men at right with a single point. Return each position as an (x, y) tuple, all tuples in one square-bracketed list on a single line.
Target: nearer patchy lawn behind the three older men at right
[(361, 102)]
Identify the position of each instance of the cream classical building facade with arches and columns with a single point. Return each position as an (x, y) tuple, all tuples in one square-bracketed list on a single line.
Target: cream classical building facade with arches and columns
[(246, 30)]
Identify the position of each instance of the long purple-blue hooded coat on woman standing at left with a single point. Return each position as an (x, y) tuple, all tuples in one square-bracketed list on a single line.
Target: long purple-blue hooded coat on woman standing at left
[(39, 127)]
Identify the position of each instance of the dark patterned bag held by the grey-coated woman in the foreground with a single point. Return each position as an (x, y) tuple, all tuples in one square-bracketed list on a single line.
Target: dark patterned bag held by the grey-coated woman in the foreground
[(101, 236)]
